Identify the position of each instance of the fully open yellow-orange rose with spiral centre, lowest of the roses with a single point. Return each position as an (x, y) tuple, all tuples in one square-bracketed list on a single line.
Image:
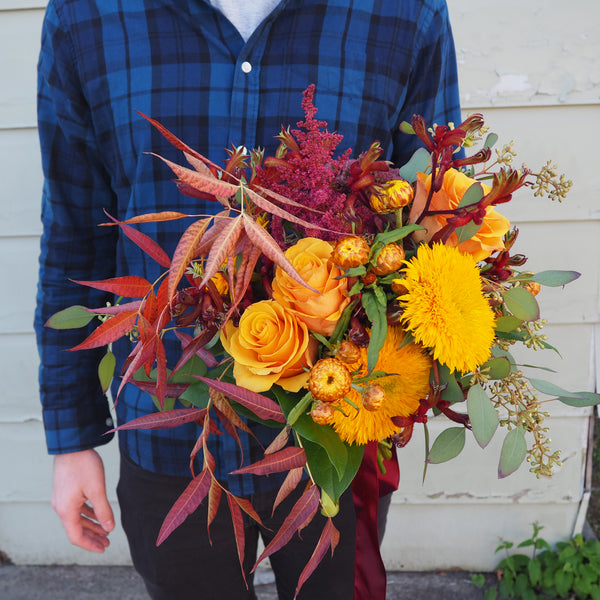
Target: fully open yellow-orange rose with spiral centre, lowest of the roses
[(270, 345)]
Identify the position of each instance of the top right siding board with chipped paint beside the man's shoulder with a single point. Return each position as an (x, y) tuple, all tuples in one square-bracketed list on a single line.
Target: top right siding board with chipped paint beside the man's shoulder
[(535, 53)]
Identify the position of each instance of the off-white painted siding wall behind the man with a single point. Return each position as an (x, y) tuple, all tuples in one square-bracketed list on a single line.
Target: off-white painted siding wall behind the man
[(533, 69)]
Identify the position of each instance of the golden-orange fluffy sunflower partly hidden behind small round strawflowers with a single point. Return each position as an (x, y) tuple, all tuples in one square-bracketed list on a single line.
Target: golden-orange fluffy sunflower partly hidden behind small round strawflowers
[(406, 384)]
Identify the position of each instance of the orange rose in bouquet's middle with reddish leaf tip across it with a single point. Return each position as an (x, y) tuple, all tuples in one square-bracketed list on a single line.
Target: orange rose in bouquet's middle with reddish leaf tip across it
[(320, 312)]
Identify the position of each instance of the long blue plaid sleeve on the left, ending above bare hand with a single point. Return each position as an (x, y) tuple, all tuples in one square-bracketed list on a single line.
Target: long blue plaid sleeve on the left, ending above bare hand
[(76, 190)]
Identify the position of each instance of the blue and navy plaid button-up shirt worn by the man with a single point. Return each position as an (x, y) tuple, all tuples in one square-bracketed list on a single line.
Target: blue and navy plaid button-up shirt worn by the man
[(374, 62)]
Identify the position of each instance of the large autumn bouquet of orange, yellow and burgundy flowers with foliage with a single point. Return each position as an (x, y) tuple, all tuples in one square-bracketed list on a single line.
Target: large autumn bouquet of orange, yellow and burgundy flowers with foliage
[(343, 301)]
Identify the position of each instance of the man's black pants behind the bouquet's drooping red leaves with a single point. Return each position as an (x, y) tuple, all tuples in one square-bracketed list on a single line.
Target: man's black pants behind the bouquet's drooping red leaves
[(189, 566)]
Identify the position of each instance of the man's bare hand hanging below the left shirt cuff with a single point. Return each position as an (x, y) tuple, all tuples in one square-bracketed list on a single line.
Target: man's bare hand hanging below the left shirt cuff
[(79, 499)]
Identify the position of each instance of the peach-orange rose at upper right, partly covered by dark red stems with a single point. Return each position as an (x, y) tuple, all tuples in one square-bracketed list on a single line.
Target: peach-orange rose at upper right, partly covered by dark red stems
[(489, 237)]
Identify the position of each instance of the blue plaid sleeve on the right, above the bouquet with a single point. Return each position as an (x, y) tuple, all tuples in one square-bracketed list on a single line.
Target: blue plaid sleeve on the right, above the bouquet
[(432, 88)]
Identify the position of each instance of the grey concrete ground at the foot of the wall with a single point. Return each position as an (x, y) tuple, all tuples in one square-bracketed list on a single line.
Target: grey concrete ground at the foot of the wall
[(123, 583)]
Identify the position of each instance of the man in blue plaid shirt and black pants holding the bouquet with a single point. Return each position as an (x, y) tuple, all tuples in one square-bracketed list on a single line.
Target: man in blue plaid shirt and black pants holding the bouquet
[(214, 74)]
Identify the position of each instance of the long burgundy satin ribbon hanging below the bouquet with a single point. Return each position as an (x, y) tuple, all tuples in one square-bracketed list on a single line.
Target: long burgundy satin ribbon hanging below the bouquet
[(367, 487)]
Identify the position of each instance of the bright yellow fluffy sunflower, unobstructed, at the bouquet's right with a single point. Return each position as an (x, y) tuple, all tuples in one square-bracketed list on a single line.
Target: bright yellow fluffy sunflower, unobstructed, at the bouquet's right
[(445, 309)]
